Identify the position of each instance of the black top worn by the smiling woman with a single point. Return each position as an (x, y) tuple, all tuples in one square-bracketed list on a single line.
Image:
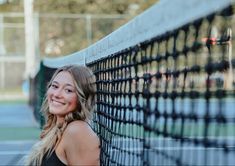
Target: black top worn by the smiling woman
[(51, 160)]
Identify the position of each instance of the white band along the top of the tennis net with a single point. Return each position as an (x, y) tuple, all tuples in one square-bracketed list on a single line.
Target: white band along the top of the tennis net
[(155, 21)]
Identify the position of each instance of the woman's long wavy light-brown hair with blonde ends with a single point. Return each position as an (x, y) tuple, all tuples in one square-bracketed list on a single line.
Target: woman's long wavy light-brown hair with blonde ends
[(51, 134)]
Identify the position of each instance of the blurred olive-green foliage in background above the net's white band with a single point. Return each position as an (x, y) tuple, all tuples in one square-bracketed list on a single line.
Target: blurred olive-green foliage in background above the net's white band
[(60, 36)]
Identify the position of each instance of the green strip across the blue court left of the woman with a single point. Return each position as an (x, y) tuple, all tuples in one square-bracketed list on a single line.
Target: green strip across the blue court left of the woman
[(19, 133)]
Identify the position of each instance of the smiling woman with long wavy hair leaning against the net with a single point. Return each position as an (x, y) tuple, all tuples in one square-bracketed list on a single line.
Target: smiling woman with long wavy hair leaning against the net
[(67, 138)]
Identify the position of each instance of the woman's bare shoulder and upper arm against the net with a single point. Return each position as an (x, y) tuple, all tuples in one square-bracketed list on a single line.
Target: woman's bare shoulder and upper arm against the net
[(81, 144)]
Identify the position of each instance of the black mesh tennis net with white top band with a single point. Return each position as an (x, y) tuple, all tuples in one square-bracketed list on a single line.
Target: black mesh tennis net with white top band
[(165, 86)]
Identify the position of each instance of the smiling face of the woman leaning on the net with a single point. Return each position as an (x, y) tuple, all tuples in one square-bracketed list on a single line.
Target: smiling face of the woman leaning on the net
[(62, 98)]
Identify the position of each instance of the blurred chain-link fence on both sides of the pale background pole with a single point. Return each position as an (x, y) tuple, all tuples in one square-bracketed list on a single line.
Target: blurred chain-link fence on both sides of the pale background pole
[(54, 35)]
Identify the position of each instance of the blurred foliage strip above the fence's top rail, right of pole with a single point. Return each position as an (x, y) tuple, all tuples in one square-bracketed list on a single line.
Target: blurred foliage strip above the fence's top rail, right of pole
[(91, 6)]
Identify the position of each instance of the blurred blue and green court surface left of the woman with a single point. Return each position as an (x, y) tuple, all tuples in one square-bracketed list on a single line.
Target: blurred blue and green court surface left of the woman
[(19, 131)]
